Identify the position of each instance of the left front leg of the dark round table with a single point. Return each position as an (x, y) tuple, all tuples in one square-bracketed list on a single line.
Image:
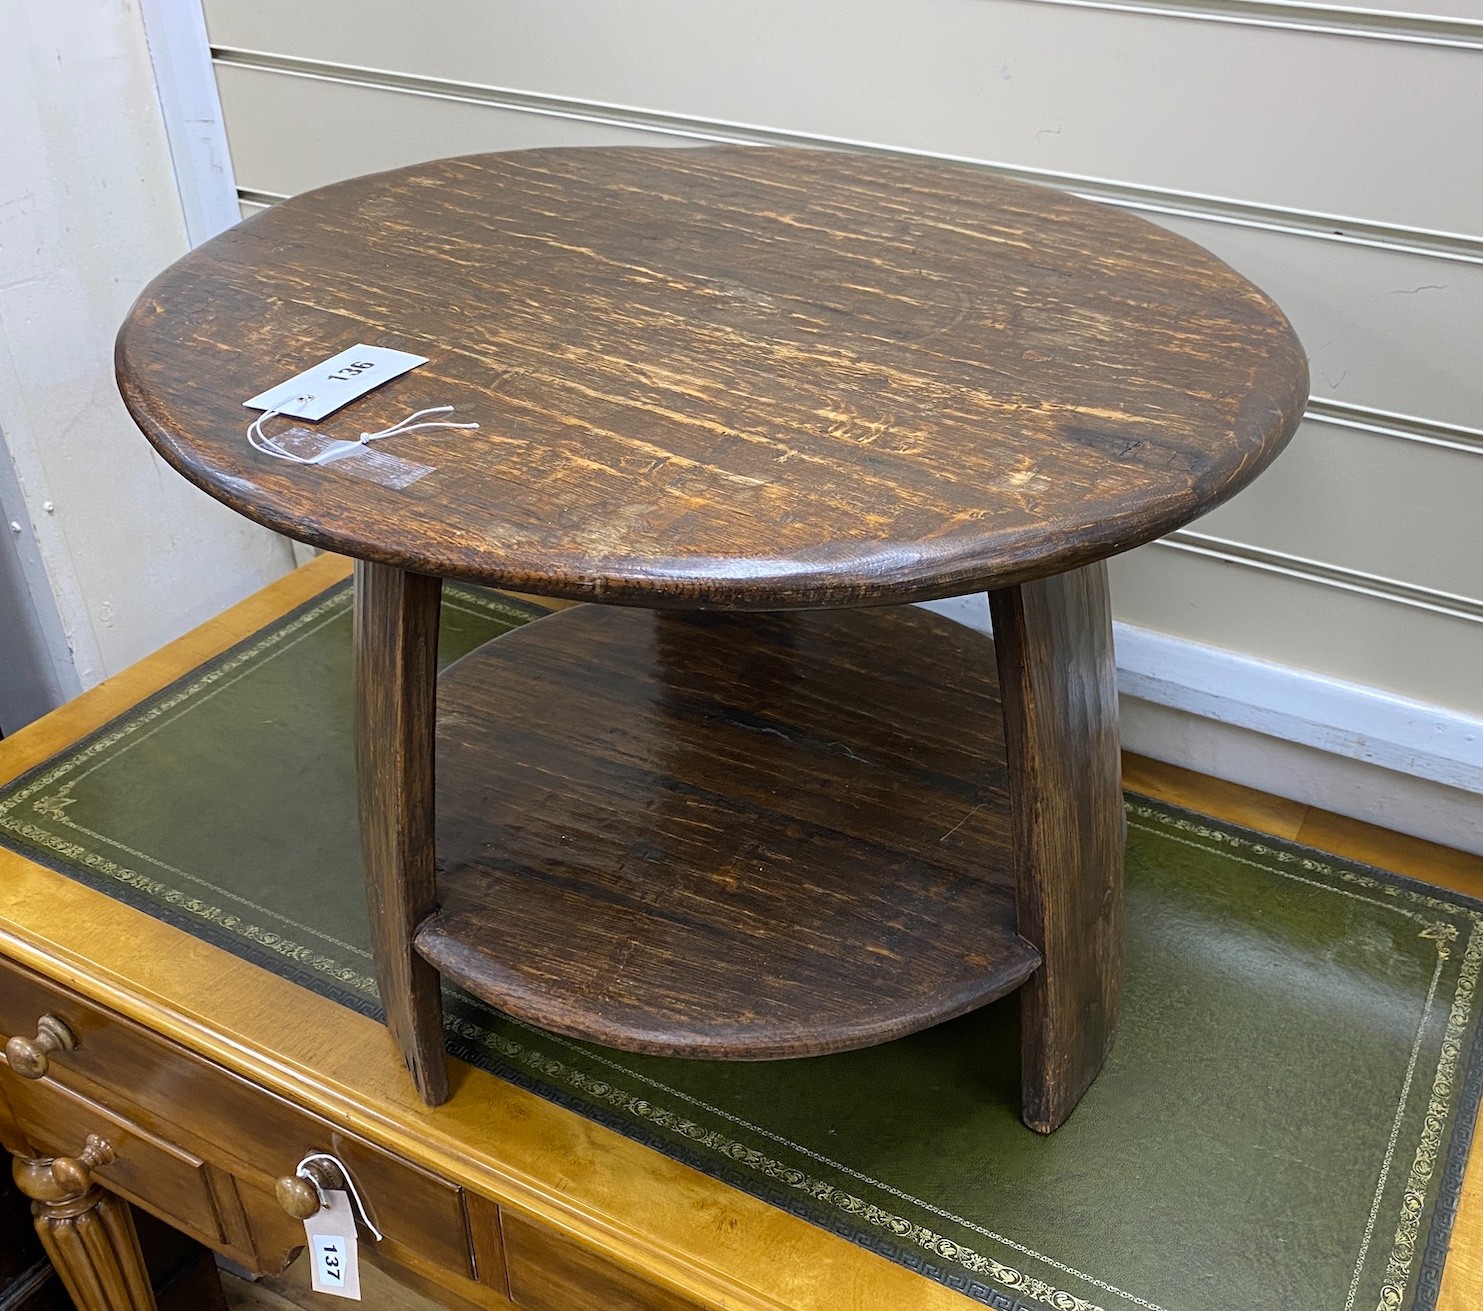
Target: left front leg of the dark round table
[(397, 692)]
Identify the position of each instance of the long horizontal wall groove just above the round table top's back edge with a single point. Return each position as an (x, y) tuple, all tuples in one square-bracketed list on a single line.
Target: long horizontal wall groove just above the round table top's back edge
[(1439, 245)]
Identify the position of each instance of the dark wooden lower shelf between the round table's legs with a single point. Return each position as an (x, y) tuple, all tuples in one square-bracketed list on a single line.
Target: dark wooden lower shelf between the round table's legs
[(727, 836)]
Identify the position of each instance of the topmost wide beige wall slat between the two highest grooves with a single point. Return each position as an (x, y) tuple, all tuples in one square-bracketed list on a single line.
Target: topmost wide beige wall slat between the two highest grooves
[(1275, 116)]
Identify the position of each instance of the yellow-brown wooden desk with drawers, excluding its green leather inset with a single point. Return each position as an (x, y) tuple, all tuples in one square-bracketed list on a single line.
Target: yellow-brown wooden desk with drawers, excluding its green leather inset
[(211, 1079)]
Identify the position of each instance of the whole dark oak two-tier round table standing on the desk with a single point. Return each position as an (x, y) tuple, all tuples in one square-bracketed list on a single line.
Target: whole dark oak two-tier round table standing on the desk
[(753, 400)]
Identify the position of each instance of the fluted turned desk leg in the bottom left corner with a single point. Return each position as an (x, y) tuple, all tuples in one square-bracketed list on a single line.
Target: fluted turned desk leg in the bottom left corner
[(87, 1233)]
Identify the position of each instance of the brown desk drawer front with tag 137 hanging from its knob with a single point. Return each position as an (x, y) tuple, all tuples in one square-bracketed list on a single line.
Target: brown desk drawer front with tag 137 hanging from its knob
[(214, 1116)]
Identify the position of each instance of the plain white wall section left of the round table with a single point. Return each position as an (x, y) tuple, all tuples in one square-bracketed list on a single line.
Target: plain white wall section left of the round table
[(109, 554)]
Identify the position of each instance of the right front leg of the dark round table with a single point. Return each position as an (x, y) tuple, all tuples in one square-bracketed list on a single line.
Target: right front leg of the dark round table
[(1058, 683)]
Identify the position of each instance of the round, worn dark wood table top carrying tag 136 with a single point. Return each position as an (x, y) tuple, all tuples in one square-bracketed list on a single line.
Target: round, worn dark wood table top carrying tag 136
[(724, 377)]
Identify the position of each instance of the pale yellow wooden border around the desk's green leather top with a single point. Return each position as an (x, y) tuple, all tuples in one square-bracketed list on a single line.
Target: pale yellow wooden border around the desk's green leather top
[(638, 1208)]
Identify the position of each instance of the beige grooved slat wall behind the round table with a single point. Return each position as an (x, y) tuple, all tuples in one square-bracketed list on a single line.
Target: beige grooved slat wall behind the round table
[(1335, 168)]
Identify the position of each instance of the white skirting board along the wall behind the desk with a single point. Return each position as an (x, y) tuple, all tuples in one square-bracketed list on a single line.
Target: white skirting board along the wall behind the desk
[(1352, 750)]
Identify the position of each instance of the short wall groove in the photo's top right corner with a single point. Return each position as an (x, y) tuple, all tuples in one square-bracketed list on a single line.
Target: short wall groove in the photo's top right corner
[(1324, 20)]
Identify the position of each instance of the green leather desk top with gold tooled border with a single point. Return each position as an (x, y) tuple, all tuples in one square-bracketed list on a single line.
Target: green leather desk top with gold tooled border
[(1284, 1122)]
